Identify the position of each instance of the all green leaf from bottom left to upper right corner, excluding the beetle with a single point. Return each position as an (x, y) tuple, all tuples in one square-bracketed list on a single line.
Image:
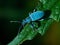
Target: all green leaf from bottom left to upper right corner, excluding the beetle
[(28, 33)]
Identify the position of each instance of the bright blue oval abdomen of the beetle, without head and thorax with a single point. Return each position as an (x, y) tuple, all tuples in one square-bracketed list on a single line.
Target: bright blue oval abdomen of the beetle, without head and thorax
[(36, 15)]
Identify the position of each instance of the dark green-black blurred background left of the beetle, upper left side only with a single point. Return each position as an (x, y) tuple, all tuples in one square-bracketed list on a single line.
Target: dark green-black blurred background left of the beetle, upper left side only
[(13, 10)]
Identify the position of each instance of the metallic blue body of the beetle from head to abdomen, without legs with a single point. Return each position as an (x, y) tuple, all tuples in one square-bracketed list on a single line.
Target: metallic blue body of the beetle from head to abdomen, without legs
[(33, 17)]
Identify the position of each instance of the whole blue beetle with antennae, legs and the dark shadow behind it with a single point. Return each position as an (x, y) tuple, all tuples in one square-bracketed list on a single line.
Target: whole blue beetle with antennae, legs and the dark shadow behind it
[(36, 16)]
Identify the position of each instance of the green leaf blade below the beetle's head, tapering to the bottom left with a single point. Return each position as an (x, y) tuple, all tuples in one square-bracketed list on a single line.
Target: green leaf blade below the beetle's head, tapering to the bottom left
[(26, 34)]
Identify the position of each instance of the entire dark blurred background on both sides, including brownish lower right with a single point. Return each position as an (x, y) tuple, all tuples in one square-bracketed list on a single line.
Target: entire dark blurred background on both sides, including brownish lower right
[(18, 10)]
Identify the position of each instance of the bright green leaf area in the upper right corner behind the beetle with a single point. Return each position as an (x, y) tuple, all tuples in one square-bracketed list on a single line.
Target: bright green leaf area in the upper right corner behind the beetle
[(53, 5)]
